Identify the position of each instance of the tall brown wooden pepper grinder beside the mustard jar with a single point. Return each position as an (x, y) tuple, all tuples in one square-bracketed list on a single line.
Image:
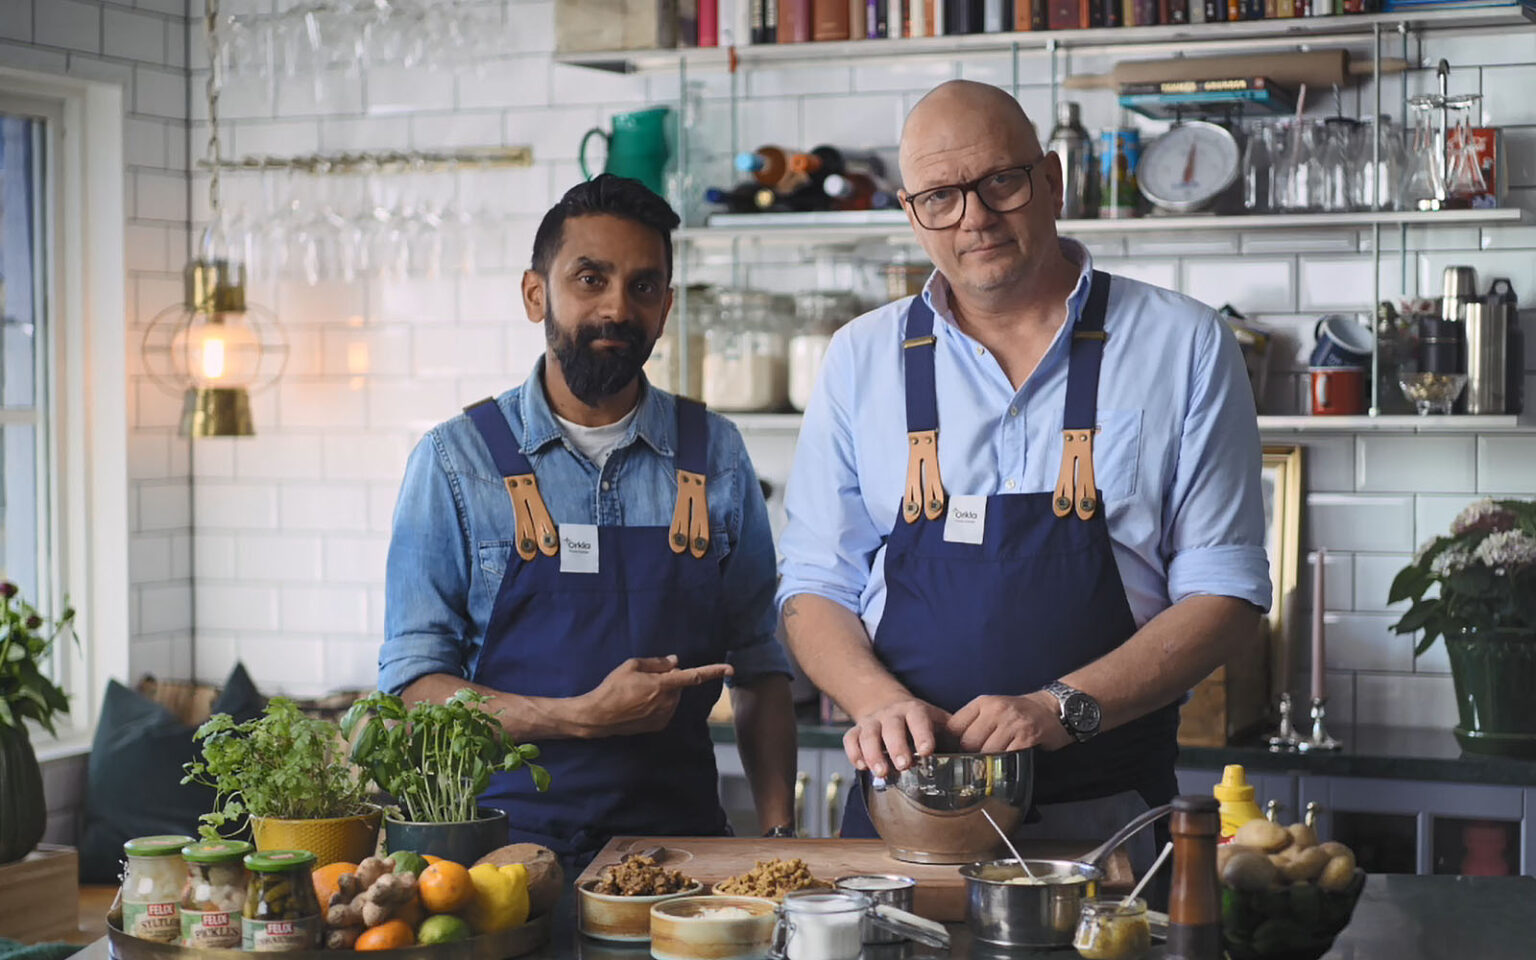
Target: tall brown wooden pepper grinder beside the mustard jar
[(1194, 909)]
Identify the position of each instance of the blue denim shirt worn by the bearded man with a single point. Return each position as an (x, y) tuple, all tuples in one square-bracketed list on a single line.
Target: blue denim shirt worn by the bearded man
[(454, 529)]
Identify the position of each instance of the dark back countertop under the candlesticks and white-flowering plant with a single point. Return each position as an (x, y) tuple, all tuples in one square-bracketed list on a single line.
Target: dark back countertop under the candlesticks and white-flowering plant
[(1397, 753)]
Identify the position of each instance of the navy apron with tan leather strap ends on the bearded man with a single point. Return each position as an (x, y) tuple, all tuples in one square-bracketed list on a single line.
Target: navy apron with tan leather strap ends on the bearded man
[(558, 635)]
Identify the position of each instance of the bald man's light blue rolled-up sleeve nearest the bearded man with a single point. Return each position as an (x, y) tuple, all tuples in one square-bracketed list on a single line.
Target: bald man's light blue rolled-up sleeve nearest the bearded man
[(830, 540)]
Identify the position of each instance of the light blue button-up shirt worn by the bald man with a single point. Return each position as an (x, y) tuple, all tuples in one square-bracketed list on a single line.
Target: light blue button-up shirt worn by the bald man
[(1177, 455)]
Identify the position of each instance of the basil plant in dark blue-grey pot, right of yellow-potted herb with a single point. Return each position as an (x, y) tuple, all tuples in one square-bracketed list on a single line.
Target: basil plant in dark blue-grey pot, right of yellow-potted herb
[(435, 760)]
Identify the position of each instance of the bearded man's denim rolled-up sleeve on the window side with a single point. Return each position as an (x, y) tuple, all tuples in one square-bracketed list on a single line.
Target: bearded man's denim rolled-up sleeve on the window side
[(428, 575)]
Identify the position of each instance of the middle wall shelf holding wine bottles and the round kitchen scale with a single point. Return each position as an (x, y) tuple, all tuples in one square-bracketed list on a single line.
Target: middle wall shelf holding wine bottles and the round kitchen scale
[(850, 228)]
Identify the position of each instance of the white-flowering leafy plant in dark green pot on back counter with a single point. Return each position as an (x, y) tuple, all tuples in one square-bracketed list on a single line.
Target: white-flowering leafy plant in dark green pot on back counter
[(1478, 591)]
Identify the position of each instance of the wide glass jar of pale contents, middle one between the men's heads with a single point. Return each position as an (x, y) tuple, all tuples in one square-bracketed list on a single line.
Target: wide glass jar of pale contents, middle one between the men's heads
[(746, 366)]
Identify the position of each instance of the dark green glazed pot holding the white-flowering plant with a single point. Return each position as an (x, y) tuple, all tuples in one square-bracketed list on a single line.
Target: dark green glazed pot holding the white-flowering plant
[(1495, 678)]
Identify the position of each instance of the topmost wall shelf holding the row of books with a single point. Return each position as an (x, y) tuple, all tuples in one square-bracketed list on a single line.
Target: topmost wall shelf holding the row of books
[(1248, 35)]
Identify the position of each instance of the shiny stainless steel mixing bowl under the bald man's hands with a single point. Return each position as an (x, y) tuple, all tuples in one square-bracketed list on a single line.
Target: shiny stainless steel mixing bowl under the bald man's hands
[(932, 813)]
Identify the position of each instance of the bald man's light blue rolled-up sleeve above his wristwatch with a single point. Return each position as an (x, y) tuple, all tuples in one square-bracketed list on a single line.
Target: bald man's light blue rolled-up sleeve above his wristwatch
[(1214, 511)]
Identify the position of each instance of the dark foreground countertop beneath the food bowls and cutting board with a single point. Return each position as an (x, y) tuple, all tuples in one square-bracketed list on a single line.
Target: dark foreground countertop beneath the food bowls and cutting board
[(1399, 918)]
